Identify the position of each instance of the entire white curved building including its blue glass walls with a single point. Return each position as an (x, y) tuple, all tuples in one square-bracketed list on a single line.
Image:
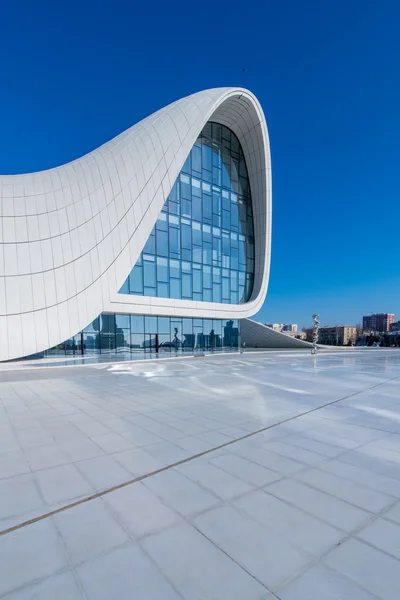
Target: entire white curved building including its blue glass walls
[(160, 238)]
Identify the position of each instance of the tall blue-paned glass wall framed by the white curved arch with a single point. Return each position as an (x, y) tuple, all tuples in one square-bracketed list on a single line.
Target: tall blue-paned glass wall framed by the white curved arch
[(202, 246)]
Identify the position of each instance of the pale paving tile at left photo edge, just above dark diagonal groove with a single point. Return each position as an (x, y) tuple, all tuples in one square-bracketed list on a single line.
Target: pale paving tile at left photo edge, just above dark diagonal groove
[(19, 495)]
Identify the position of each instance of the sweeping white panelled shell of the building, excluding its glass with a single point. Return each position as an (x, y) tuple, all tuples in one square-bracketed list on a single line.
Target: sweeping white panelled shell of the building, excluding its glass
[(71, 235)]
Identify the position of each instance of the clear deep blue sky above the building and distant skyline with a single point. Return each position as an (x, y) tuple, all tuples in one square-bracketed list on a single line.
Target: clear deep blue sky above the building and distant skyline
[(74, 74)]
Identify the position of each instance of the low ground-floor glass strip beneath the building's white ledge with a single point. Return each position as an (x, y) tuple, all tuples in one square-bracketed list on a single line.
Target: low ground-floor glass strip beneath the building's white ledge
[(112, 334)]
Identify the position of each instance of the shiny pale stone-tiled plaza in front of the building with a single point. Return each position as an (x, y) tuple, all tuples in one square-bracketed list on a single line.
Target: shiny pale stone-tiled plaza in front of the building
[(232, 476)]
